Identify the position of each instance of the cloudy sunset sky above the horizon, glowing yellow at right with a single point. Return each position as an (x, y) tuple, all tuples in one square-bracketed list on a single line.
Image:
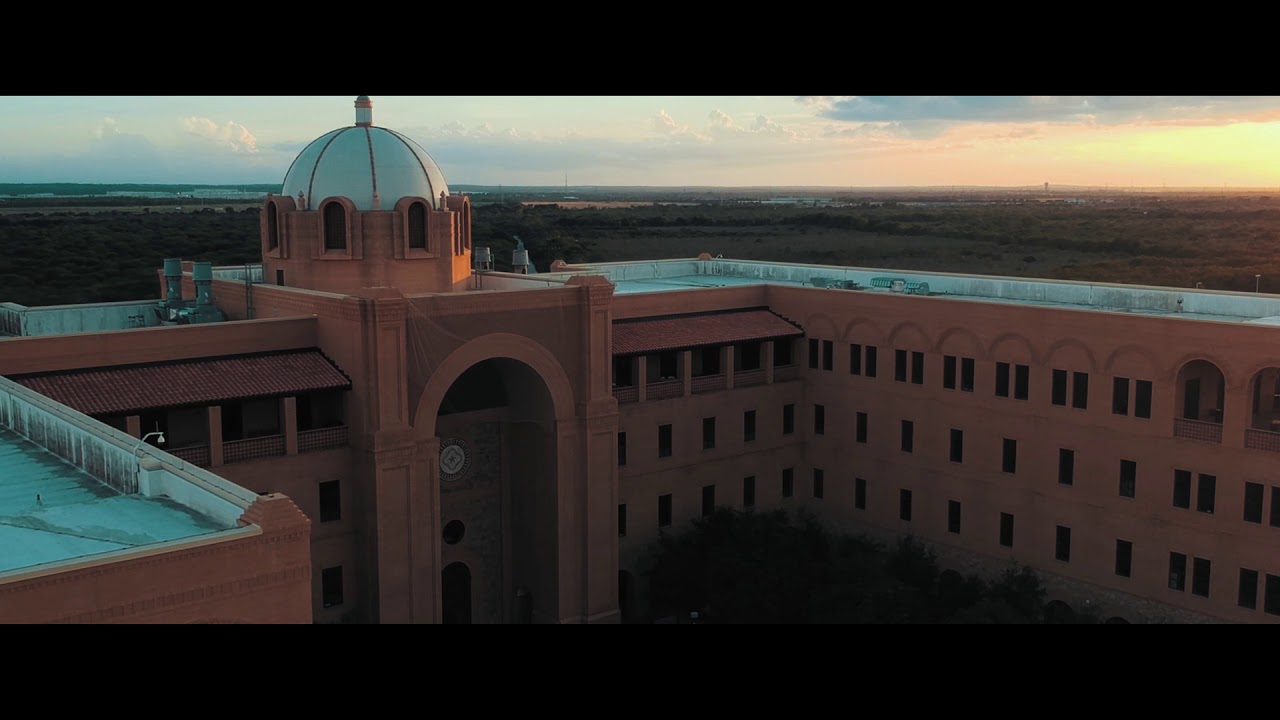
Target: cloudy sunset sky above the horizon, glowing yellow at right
[(723, 142)]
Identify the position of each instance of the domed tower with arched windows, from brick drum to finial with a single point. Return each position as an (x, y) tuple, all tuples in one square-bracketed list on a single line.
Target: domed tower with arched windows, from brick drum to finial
[(367, 207)]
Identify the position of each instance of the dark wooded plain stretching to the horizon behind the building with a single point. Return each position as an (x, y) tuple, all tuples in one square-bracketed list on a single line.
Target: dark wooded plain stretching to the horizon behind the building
[(61, 250)]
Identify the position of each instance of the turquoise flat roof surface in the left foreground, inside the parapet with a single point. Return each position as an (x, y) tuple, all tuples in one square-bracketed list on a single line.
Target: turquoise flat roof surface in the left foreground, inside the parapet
[(77, 516)]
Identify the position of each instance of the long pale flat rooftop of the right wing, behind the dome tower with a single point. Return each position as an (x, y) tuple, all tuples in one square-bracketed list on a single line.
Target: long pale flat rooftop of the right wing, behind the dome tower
[(668, 276)]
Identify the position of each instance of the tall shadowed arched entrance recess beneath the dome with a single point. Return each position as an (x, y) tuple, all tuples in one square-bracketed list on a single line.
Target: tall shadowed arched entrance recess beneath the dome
[(499, 505)]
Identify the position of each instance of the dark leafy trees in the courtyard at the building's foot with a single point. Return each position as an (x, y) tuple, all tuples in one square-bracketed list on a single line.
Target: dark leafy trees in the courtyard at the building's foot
[(743, 568)]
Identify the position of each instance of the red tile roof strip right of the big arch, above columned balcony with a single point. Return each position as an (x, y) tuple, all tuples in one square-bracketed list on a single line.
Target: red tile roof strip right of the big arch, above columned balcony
[(682, 332)]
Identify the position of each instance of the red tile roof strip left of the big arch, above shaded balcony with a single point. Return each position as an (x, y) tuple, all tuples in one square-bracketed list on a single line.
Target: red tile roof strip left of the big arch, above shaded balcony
[(209, 381)]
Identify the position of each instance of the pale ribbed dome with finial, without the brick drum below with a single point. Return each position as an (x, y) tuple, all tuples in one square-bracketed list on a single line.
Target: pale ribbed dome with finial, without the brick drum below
[(356, 162)]
